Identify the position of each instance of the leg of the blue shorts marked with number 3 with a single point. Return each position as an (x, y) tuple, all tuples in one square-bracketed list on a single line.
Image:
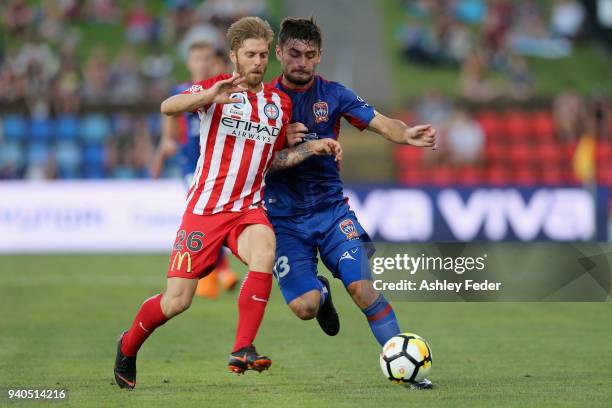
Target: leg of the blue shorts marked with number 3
[(295, 268)]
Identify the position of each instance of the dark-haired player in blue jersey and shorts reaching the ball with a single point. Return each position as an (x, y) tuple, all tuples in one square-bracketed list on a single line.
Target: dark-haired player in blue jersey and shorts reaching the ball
[(306, 204)]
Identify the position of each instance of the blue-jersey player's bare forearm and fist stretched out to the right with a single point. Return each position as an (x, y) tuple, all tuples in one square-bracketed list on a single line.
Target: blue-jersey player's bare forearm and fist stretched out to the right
[(398, 132)]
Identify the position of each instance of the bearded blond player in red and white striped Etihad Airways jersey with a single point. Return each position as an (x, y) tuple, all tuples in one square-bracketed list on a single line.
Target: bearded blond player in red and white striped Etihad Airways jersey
[(242, 136)]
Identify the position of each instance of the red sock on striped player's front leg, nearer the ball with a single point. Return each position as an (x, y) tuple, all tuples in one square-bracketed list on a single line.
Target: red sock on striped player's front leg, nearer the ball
[(252, 302)]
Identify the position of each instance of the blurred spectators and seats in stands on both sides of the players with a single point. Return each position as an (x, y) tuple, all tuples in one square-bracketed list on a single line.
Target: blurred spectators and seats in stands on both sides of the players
[(80, 107)]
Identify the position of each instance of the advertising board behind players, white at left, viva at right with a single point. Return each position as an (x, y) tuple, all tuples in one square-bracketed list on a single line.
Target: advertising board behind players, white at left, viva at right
[(143, 216)]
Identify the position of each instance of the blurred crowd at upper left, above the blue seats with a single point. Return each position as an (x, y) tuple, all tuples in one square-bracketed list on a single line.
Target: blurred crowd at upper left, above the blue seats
[(45, 62)]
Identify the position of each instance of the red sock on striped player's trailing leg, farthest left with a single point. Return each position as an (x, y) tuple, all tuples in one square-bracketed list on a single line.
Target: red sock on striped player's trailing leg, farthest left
[(148, 318)]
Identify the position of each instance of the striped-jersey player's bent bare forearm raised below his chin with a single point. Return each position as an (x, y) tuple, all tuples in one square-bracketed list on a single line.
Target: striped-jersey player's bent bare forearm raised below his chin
[(218, 93)]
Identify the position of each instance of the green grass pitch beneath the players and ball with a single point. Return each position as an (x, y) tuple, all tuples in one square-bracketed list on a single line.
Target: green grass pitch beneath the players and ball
[(60, 316)]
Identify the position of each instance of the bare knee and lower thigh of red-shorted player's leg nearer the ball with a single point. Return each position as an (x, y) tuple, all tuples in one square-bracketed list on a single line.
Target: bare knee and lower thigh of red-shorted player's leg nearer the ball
[(256, 246)]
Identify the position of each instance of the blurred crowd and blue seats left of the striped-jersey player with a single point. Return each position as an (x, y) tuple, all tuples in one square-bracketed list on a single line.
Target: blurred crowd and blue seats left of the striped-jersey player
[(77, 107)]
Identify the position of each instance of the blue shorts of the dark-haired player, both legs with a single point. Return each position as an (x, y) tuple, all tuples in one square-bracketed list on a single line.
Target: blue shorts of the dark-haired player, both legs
[(335, 234)]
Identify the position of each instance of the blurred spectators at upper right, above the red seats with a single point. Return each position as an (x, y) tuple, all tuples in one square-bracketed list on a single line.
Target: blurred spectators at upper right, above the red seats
[(490, 40)]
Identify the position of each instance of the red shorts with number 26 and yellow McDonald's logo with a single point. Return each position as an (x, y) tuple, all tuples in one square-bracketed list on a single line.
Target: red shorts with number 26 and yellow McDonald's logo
[(200, 238)]
